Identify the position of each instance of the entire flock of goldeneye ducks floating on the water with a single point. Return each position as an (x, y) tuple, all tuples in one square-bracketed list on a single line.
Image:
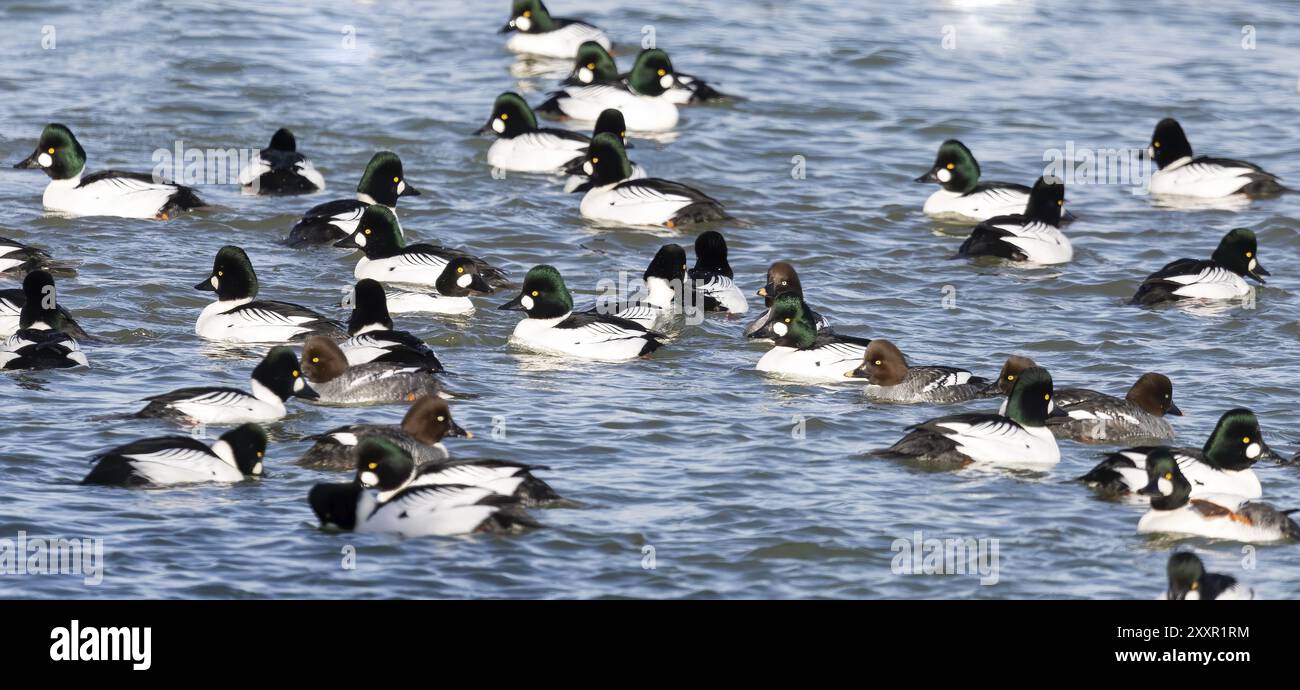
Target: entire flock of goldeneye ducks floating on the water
[(404, 479)]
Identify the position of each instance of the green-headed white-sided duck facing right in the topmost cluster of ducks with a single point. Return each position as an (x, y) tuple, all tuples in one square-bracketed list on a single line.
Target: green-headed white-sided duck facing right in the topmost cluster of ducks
[(643, 97)]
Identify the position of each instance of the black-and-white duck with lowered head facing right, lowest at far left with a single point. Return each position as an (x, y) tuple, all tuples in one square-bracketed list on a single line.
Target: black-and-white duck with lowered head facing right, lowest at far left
[(183, 461)]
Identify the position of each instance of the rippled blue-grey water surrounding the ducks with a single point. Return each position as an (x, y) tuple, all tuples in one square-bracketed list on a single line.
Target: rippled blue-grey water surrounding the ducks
[(691, 453)]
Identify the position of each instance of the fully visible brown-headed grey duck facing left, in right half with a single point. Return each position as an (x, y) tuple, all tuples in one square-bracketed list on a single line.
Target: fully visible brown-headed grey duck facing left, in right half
[(890, 379)]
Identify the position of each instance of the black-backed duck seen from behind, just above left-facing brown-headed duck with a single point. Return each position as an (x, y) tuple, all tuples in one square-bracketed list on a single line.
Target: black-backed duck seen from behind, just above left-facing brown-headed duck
[(372, 335)]
